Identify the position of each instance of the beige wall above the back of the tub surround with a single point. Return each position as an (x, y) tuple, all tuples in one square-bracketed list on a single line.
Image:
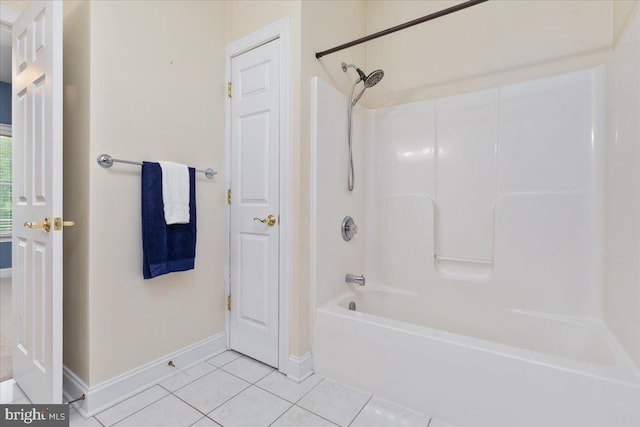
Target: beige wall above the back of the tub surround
[(488, 45)]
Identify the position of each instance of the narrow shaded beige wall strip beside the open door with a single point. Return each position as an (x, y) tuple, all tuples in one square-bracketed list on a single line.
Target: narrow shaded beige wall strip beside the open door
[(76, 116)]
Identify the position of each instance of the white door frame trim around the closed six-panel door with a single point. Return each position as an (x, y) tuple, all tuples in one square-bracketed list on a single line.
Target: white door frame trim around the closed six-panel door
[(280, 29)]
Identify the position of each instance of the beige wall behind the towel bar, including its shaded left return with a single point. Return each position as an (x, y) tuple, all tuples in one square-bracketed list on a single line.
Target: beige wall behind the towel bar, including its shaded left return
[(153, 94)]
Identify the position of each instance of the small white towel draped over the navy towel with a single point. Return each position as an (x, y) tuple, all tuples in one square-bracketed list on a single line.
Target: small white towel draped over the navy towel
[(175, 192)]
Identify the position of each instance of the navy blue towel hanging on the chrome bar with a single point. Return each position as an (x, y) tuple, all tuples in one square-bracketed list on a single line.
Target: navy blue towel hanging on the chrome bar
[(165, 248)]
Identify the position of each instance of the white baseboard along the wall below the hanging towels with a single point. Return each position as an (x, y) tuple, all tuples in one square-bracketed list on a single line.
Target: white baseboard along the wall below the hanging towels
[(117, 389)]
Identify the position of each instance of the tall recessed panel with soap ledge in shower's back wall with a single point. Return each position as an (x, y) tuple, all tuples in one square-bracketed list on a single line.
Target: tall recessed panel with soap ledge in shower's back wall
[(465, 158)]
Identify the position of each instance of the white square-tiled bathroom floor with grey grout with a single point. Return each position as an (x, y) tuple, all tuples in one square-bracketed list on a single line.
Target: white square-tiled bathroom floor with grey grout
[(233, 390)]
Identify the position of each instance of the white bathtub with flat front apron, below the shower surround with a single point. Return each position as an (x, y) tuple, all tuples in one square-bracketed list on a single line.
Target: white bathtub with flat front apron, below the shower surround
[(509, 368)]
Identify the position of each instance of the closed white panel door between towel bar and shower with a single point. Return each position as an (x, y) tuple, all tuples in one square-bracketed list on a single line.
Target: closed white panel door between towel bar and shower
[(255, 141)]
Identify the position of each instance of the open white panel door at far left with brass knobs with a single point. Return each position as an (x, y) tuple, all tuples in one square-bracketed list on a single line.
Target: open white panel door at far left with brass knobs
[(37, 194)]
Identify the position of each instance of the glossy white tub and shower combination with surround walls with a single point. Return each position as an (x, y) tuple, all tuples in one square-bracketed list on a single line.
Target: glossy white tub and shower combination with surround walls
[(481, 233)]
